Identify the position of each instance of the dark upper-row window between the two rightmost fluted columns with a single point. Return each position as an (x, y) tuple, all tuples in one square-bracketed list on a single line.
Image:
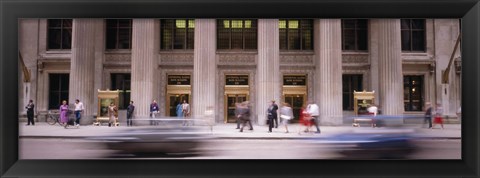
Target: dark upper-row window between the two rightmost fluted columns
[(354, 34)]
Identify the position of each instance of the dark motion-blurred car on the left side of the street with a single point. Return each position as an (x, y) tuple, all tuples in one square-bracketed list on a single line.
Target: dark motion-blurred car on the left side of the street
[(159, 140)]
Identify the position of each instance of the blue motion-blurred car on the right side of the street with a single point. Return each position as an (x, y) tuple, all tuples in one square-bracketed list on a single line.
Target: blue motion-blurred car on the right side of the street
[(383, 143)]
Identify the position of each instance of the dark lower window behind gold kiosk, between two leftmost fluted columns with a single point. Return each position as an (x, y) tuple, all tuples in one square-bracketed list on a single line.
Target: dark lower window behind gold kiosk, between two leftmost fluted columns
[(121, 82)]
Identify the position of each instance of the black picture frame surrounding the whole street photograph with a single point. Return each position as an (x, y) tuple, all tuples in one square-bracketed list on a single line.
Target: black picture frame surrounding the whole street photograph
[(11, 11)]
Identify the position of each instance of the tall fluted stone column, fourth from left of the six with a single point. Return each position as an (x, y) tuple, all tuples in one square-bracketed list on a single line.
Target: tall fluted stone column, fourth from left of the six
[(268, 67)]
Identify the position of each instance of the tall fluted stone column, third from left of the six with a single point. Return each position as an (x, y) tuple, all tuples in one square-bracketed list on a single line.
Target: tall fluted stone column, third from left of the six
[(204, 67)]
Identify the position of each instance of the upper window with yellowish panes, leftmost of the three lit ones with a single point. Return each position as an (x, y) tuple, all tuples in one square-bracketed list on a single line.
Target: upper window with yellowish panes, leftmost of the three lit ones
[(177, 34)]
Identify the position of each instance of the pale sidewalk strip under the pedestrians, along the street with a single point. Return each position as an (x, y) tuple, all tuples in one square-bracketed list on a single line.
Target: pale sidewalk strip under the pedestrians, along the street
[(227, 131)]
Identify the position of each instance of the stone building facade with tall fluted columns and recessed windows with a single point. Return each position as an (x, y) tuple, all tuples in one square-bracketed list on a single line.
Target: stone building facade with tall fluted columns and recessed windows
[(322, 69)]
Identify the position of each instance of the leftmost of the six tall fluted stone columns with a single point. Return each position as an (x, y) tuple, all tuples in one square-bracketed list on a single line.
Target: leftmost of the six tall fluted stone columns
[(82, 65)]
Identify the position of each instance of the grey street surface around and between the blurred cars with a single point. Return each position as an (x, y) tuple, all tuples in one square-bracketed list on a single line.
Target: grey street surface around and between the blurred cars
[(51, 148)]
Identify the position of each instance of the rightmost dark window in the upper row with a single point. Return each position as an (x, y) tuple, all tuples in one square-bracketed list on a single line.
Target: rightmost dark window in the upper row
[(413, 35)]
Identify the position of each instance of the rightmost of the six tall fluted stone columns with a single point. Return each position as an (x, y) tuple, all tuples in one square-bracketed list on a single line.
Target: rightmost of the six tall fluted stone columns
[(390, 66)]
